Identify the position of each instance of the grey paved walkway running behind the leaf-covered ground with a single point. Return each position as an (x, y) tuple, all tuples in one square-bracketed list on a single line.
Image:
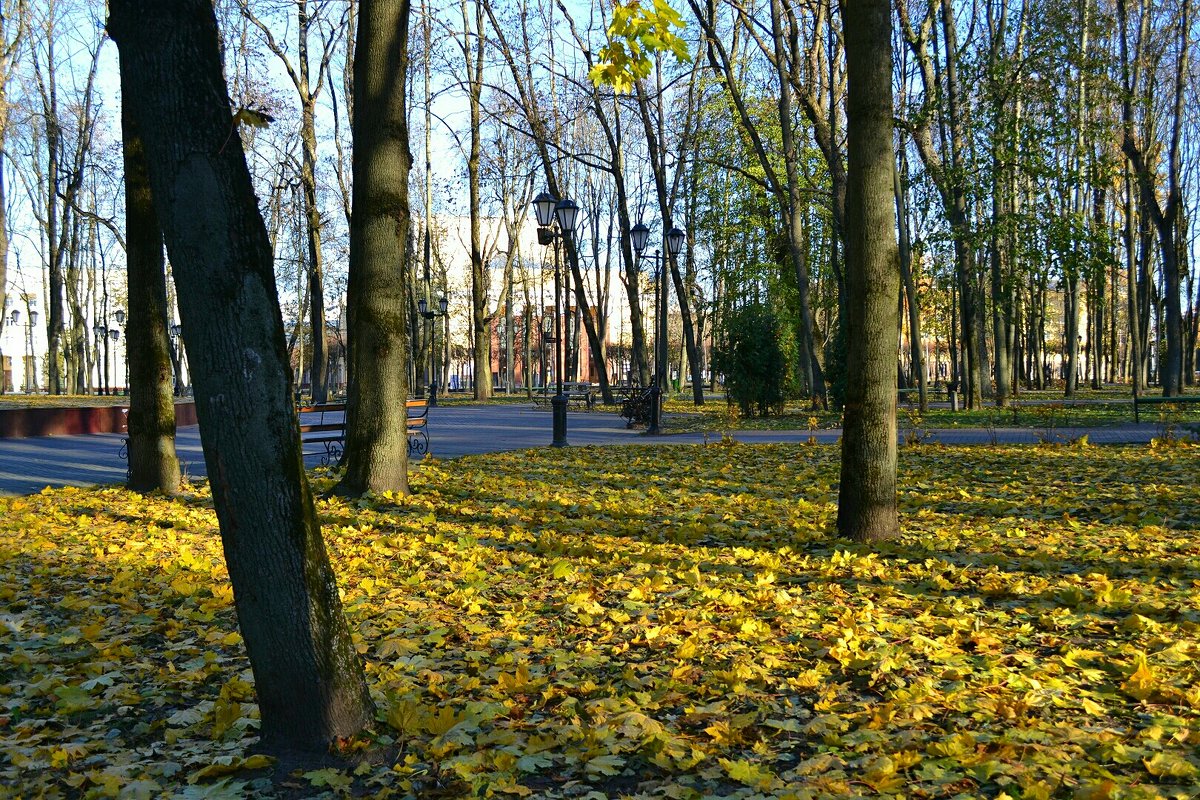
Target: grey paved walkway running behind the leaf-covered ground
[(27, 466)]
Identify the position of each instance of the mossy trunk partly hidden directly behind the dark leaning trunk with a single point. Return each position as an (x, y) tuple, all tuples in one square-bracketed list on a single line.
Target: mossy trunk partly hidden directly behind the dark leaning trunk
[(152, 423)]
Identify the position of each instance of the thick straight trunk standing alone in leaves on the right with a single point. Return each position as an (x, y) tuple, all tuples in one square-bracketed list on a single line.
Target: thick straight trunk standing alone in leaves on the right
[(867, 500)]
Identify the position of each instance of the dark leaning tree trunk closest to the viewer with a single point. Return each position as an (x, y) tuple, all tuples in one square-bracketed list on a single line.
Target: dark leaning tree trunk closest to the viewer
[(308, 677)]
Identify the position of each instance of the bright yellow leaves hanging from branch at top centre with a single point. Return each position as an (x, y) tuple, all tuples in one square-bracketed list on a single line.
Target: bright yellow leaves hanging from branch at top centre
[(639, 33)]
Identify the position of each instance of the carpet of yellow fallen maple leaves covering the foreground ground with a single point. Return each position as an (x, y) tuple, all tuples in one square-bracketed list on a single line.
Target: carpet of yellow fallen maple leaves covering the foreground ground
[(644, 622)]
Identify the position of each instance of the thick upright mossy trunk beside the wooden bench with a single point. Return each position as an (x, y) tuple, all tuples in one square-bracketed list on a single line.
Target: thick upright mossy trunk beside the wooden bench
[(376, 441)]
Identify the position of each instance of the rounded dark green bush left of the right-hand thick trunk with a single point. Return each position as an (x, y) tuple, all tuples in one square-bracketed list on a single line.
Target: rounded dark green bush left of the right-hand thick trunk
[(757, 353)]
